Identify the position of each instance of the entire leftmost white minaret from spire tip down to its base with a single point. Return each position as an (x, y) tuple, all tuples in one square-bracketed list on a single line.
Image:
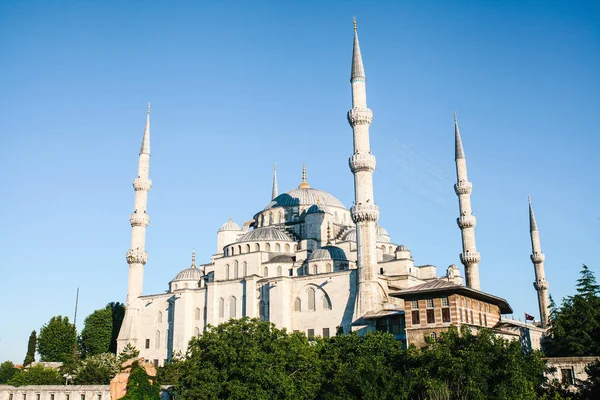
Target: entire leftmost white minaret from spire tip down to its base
[(137, 255)]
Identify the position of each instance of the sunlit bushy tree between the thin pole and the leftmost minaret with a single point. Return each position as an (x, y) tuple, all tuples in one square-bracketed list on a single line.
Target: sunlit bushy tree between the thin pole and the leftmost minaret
[(97, 331)]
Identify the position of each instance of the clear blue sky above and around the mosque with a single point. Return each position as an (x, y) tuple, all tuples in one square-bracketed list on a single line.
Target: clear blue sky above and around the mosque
[(236, 86)]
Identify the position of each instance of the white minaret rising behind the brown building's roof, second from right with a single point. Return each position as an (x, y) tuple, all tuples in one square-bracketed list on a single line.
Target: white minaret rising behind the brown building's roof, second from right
[(466, 221)]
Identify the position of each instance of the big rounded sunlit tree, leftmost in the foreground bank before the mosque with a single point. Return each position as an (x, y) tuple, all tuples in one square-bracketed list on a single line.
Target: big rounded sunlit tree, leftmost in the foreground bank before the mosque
[(249, 359)]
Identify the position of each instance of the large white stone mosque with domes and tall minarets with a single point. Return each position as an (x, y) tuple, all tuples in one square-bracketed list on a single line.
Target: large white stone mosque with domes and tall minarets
[(307, 263)]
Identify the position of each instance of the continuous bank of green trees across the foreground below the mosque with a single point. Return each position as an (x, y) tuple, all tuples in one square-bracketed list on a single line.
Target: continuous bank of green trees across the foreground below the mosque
[(250, 359)]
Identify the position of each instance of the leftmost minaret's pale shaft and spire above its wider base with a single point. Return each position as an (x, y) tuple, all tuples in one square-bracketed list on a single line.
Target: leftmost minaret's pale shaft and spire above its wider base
[(137, 255)]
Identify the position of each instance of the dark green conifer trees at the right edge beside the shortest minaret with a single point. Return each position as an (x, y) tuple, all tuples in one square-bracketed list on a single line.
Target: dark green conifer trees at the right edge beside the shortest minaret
[(575, 325)]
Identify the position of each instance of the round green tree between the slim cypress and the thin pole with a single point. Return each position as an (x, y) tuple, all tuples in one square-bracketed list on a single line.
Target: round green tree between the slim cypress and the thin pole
[(57, 340)]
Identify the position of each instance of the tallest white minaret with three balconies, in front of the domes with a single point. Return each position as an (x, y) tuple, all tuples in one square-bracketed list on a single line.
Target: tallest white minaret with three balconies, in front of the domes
[(364, 211)]
